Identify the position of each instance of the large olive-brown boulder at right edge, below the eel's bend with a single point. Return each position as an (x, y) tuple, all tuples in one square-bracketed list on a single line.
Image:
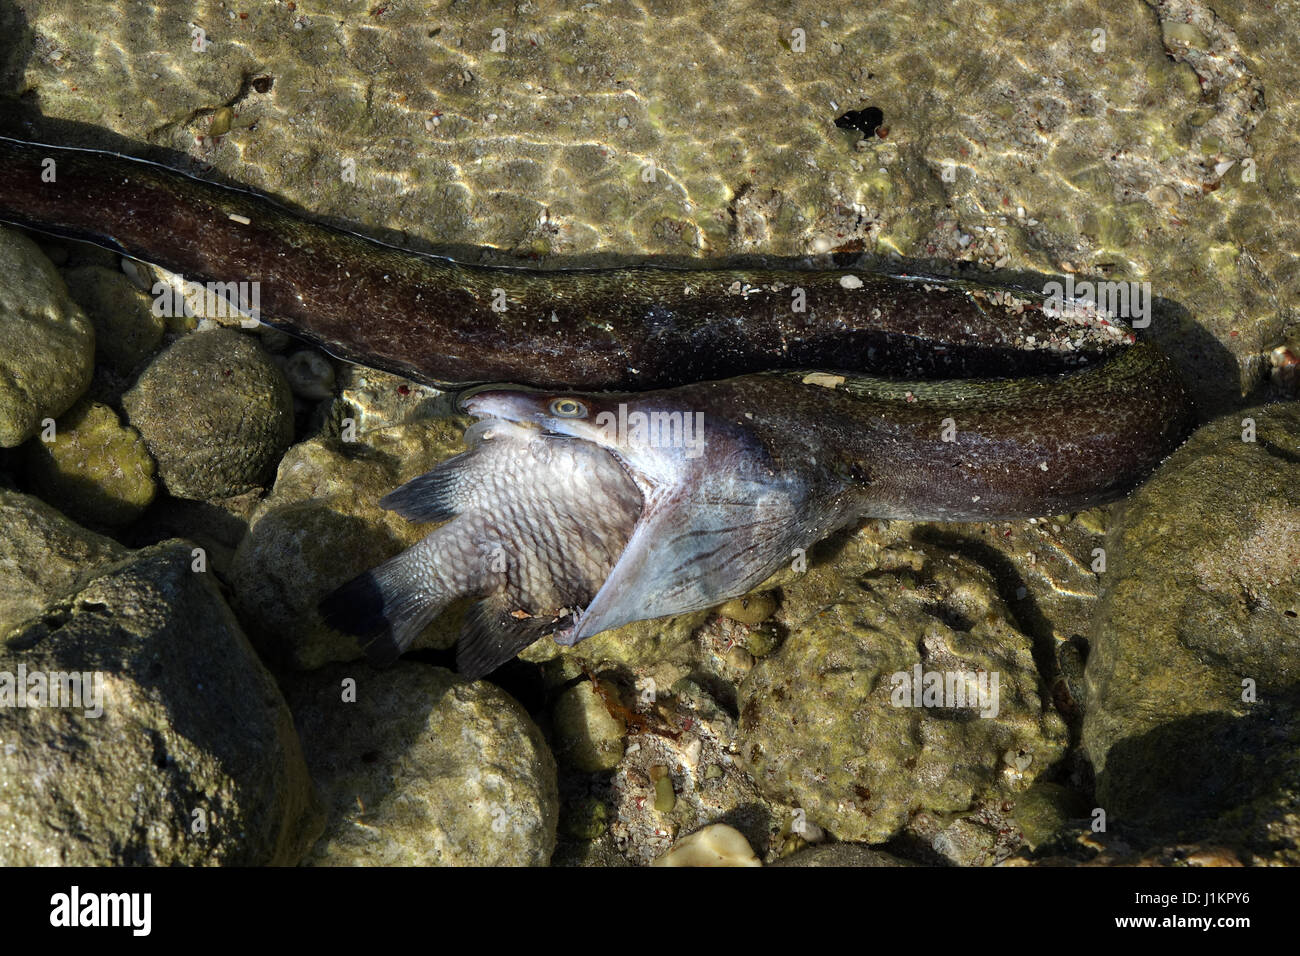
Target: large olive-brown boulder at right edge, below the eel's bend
[(1194, 682)]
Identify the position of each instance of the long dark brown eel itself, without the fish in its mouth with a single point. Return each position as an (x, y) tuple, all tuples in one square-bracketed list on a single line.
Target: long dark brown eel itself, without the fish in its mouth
[(1030, 414)]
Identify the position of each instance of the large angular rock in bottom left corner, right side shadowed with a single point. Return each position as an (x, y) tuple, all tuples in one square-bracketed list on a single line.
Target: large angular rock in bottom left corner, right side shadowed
[(185, 755)]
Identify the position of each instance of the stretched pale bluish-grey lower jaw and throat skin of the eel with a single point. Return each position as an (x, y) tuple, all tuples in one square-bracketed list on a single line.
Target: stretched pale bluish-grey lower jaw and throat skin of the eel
[(692, 552)]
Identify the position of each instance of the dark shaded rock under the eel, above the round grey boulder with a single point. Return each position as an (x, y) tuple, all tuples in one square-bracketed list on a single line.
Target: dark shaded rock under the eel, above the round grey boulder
[(127, 331)]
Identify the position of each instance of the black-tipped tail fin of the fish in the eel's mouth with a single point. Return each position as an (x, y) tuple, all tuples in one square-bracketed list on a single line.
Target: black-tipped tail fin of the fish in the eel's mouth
[(384, 609)]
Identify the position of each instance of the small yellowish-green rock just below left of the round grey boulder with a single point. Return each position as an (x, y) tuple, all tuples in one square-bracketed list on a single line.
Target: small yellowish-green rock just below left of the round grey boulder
[(93, 468)]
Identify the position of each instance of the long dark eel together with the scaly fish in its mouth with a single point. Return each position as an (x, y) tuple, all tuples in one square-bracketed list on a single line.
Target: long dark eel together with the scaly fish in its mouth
[(701, 425)]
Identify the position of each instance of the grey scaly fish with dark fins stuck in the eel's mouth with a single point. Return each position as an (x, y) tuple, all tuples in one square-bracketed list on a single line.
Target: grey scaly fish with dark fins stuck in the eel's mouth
[(534, 526)]
